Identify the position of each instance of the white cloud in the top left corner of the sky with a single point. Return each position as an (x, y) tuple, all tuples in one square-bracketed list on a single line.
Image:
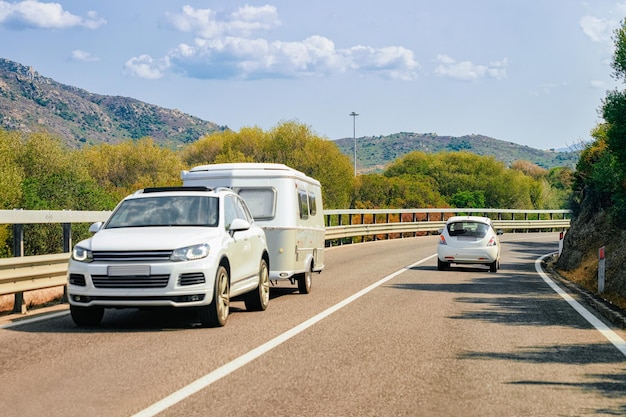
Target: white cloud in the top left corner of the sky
[(32, 14)]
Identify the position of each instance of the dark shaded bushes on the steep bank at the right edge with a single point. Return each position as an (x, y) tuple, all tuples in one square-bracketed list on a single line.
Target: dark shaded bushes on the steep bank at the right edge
[(599, 195)]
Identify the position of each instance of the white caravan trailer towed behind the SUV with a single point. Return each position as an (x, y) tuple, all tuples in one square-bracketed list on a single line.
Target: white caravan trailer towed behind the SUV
[(286, 203)]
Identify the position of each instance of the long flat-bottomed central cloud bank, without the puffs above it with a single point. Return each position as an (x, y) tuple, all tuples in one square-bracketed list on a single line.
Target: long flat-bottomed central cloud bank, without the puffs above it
[(236, 57)]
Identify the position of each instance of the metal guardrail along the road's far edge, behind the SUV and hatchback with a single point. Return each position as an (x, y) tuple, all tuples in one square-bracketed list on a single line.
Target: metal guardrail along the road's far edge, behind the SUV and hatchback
[(21, 274)]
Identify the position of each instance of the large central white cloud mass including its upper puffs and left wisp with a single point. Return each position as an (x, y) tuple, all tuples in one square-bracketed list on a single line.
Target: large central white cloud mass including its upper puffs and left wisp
[(225, 48)]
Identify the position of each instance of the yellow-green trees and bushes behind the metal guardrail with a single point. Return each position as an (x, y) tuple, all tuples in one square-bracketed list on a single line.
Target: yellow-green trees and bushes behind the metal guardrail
[(39, 172)]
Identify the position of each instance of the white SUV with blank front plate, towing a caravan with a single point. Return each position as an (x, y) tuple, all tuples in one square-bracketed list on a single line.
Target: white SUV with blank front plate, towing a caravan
[(171, 246)]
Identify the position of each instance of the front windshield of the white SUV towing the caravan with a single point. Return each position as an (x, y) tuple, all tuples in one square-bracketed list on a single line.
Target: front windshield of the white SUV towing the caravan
[(165, 211)]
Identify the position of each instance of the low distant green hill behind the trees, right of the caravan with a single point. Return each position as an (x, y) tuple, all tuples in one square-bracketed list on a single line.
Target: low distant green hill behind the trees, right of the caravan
[(375, 152)]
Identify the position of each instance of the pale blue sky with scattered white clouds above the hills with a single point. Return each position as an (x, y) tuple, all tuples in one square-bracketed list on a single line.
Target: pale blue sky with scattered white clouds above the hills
[(529, 72)]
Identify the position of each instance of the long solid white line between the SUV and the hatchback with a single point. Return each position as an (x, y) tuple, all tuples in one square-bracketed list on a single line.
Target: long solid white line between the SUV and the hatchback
[(246, 358)]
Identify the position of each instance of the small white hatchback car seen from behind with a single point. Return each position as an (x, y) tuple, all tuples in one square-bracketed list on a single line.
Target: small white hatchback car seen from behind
[(469, 240)]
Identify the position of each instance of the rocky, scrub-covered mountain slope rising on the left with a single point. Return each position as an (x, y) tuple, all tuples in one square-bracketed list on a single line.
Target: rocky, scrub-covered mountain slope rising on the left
[(30, 102)]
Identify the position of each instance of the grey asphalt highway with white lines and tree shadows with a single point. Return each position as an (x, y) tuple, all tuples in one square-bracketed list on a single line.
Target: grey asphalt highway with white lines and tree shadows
[(383, 333)]
